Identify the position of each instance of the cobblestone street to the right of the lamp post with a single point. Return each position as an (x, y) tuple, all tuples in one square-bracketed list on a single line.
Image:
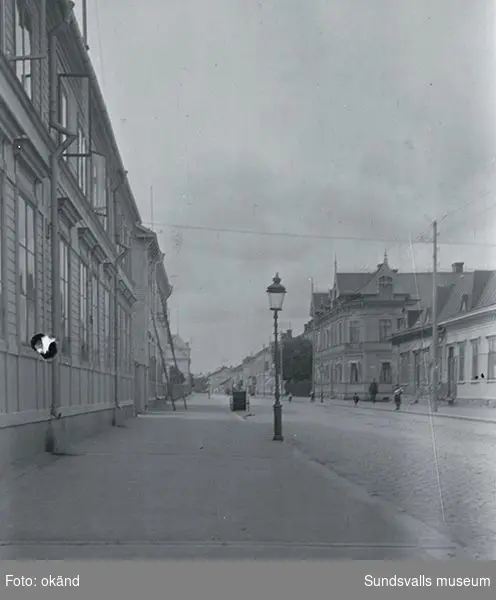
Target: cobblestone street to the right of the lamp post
[(437, 470)]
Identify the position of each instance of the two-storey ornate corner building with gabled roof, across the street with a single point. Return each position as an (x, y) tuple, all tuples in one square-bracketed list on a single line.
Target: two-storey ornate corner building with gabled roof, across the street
[(354, 325)]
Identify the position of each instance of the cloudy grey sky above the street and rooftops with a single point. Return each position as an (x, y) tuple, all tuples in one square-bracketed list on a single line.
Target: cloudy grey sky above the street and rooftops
[(331, 123)]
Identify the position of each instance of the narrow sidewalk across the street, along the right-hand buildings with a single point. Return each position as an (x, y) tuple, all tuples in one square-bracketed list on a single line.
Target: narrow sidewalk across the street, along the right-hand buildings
[(468, 413)]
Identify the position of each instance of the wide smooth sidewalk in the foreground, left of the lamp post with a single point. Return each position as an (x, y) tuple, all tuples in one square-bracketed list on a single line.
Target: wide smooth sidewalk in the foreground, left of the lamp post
[(200, 483)]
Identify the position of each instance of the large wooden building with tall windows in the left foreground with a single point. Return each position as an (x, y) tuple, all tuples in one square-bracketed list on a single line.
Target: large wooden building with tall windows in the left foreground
[(67, 215)]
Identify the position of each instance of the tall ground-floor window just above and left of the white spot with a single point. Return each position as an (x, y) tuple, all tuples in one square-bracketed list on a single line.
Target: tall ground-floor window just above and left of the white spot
[(27, 287)]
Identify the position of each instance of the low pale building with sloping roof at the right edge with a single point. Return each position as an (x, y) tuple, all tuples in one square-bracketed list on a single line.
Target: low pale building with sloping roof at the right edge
[(466, 360)]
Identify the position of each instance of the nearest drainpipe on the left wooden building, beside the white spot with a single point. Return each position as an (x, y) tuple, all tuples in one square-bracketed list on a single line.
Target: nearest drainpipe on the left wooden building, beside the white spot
[(55, 233)]
